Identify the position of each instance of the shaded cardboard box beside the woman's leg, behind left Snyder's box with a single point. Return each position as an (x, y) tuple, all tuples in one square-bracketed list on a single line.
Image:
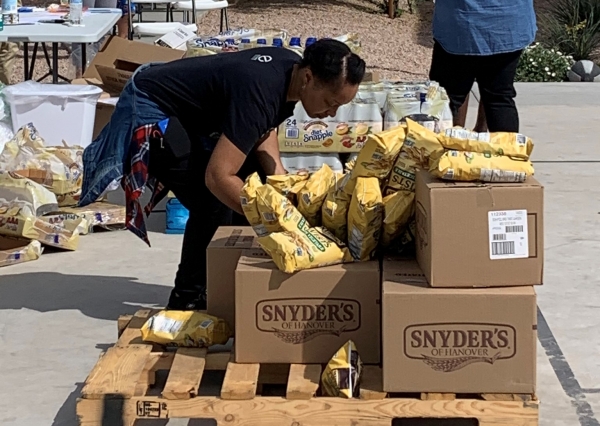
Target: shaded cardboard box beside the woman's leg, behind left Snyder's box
[(222, 256)]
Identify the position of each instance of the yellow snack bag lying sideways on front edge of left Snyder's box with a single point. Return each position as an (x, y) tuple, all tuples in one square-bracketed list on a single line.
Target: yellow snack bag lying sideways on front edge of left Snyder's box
[(304, 248)]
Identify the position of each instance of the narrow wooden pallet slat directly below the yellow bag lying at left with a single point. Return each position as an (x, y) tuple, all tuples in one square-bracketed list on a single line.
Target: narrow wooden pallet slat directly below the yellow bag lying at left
[(186, 374)]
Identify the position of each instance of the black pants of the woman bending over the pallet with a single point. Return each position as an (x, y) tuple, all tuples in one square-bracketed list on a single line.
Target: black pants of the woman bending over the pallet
[(185, 177)]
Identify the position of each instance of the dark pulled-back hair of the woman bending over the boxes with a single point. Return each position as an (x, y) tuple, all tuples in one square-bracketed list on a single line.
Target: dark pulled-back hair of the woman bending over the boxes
[(332, 62)]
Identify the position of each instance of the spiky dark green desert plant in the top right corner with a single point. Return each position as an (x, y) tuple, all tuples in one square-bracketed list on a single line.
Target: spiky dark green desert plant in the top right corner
[(573, 27)]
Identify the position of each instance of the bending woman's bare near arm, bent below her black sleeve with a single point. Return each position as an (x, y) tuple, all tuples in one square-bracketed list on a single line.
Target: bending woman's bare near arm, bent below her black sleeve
[(221, 179)]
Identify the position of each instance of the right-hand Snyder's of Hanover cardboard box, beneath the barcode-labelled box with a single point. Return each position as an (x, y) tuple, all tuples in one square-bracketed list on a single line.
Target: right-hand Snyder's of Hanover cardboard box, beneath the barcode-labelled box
[(456, 340)]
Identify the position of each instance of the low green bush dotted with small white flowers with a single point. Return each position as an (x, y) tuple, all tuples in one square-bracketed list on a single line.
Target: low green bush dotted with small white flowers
[(540, 64)]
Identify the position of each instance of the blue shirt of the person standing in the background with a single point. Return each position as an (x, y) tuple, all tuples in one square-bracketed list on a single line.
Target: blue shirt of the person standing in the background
[(484, 27)]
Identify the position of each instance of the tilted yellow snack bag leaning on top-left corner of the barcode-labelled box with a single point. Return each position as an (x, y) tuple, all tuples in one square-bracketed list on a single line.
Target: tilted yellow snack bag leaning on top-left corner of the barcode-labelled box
[(420, 145)]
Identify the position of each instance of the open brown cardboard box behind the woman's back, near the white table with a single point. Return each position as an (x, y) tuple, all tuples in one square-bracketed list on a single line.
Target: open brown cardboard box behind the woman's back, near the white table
[(118, 58)]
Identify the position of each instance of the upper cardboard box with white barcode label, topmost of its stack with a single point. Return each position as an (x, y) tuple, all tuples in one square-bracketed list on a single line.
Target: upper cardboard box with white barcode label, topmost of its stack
[(479, 235)]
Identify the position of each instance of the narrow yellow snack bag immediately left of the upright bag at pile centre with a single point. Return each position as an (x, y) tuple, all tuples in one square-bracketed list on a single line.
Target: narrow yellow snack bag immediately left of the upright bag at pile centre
[(334, 213)]
